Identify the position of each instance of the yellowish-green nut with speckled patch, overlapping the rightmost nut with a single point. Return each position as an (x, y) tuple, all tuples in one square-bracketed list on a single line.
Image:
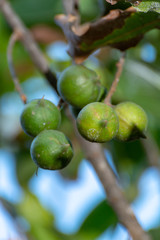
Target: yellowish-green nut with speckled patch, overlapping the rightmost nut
[(97, 122)]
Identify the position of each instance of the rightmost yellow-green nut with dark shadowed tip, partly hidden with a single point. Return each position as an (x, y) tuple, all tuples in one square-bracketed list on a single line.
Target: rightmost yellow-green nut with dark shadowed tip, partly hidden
[(132, 121)]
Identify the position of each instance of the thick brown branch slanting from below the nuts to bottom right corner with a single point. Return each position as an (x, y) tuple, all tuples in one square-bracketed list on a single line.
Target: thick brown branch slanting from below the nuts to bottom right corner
[(95, 154)]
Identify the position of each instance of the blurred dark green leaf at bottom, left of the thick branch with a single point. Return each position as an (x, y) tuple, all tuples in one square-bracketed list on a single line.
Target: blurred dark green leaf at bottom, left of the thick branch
[(98, 221)]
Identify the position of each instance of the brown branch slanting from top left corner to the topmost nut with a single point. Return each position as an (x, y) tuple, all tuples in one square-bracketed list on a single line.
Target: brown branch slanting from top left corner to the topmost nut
[(28, 42)]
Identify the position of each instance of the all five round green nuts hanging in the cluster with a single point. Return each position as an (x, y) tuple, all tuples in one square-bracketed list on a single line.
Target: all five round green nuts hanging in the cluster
[(96, 121)]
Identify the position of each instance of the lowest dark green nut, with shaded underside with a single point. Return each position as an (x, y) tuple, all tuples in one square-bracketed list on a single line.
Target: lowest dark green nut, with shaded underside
[(51, 149)]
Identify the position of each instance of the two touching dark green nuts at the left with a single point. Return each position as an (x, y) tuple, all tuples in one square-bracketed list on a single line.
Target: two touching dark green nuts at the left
[(50, 149)]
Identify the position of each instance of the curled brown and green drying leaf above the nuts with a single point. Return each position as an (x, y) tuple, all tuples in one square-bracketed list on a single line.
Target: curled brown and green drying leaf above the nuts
[(118, 29)]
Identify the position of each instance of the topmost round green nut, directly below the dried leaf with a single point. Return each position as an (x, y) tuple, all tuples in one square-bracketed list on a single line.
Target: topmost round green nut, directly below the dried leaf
[(79, 86)]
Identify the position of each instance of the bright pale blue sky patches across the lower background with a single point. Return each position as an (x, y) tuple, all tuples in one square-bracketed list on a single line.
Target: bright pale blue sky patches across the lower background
[(79, 197)]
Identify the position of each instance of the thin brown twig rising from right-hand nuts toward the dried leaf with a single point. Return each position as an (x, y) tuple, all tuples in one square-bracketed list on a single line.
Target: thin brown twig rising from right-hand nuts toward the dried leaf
[(116, 80)]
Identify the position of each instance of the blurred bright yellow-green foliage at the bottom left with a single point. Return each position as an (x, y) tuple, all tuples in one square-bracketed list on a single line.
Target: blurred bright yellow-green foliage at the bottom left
[(41, 221)]
